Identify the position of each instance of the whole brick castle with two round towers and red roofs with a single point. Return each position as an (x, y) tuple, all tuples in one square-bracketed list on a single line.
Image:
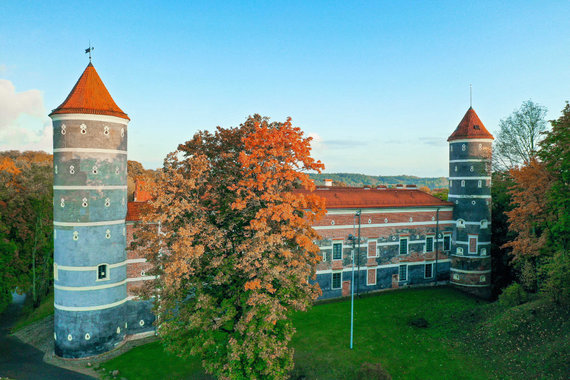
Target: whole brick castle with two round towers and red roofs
[(408, 237)]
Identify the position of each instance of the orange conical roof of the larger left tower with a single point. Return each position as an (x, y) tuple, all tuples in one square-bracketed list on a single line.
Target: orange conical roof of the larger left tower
[(89, 95)]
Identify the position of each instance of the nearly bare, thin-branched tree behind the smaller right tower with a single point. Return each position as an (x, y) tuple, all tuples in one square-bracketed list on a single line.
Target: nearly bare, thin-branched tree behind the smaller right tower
[(519, 135)]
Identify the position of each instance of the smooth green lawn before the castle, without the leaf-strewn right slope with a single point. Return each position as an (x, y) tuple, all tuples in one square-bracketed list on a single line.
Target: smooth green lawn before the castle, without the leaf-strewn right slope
[(382, 335)]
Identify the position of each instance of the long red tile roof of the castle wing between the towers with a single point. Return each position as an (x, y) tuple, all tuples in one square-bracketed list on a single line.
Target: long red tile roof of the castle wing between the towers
[(355, 197)]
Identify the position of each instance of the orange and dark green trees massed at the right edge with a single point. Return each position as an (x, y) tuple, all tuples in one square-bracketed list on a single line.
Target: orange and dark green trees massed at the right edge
[(540, 214)]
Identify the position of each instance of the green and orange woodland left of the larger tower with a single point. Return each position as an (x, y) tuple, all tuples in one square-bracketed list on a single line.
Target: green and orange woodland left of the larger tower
[(26, 222)]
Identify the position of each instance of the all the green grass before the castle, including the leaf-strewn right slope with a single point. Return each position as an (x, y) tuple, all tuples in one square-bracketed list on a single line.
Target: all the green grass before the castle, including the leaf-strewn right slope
[(466, 339)]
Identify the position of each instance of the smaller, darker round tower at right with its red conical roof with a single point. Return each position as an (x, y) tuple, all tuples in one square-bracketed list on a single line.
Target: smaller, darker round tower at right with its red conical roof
[(470, 151)]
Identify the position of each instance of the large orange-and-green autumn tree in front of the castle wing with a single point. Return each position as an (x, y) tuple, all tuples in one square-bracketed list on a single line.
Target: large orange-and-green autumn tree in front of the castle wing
[(235, 254)]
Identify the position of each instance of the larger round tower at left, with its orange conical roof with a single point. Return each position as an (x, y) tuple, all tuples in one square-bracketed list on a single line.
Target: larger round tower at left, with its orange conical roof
[(90, 205)]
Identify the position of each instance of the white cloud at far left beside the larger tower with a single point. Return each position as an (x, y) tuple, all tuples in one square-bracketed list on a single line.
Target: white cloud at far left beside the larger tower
[(24, 124)]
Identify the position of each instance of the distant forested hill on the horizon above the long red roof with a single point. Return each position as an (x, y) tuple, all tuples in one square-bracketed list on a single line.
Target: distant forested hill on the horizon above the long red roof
[(355, 179)]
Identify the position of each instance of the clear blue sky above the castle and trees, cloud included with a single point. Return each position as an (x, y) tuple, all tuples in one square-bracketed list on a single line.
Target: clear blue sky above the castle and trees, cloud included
[(379, 85)]
